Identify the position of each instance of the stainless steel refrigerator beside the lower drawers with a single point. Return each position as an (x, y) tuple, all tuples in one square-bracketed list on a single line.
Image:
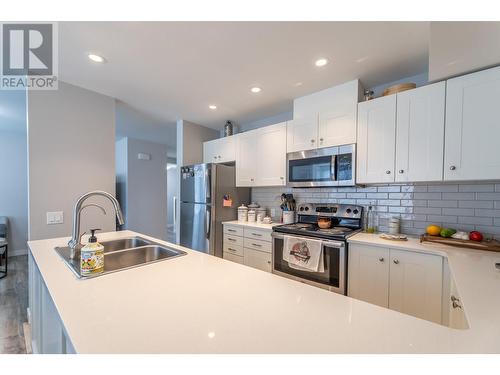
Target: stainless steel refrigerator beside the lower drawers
[(202, 209)]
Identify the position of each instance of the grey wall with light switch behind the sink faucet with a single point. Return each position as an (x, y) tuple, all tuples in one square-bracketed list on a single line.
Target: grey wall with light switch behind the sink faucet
[(71, 150)]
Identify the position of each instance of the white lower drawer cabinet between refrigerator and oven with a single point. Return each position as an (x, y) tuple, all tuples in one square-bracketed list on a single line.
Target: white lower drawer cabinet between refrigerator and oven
[(248, 246)]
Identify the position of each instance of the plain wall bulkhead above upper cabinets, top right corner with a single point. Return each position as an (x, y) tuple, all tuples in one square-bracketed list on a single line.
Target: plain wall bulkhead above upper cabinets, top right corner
[(459, 47)]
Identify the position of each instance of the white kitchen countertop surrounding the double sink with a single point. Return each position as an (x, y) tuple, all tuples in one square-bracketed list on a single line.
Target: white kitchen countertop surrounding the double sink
[(202, 304)]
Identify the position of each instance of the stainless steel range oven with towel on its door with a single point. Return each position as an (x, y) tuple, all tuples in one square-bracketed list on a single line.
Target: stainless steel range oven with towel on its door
[(345, 220)]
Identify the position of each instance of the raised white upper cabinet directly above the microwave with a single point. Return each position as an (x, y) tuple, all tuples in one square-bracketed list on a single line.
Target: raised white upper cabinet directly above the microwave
[(324, 119)]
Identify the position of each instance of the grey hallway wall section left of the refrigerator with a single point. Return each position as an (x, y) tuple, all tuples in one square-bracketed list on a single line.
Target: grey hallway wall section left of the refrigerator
[(145, 186)]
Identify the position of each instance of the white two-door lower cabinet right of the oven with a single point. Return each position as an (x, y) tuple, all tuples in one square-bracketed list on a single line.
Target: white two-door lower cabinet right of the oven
[(401, 280)]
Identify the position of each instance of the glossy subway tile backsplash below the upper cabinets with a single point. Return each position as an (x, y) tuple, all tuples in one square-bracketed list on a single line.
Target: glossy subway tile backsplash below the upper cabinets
[(461, 206)]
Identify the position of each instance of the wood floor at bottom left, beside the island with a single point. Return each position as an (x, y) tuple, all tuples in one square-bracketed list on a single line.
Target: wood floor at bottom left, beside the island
[(13, 305)]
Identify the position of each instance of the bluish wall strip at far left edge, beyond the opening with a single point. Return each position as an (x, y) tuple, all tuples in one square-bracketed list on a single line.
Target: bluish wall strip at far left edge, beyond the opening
[(14, 179)]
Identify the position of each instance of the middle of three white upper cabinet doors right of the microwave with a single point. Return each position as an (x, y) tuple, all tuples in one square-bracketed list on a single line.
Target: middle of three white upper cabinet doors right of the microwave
[(420, 134)]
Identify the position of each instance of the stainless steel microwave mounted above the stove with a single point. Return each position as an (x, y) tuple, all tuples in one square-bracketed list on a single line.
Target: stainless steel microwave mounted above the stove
[(329, 166)]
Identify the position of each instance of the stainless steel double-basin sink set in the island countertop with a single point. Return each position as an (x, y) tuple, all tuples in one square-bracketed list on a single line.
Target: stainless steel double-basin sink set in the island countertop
[(122, 254)]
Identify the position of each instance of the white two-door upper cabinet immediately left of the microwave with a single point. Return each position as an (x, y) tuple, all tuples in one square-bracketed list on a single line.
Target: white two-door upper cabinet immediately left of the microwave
[(261, 157)]
